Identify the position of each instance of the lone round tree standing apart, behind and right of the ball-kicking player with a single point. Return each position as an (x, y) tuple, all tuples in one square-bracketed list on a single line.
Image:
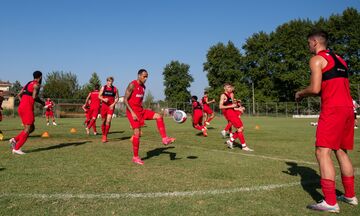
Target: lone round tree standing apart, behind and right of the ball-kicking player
[(177, 80)]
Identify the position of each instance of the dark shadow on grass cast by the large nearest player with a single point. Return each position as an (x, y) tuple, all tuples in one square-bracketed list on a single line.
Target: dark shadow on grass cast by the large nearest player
[(310, 180)]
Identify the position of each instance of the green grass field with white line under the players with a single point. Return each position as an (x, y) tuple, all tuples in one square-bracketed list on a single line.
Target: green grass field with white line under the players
[(76, 174)]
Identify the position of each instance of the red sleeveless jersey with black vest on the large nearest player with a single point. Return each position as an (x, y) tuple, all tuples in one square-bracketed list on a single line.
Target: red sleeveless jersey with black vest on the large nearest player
[(335, 89)]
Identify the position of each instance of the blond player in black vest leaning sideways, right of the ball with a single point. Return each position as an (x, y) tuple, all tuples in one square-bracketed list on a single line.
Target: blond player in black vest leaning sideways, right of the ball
[(228, 105)]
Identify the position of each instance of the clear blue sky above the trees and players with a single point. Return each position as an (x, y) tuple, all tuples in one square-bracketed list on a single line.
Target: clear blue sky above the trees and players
[(118, 37)]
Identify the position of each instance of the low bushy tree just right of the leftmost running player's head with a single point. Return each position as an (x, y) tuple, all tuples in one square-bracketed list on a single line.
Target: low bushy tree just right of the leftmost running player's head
[(59, 84)]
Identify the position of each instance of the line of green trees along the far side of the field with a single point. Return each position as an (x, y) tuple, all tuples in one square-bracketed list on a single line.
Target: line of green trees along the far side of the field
[(275, 64)]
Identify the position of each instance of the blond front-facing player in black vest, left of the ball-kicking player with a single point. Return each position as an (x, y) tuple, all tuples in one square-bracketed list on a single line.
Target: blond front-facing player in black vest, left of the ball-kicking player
[(109, 96)]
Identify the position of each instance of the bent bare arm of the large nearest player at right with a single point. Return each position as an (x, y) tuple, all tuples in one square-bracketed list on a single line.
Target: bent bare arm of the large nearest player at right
[(316, 65)]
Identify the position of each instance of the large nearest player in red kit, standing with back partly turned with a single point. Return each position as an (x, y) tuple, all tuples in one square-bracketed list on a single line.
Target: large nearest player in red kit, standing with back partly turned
[(335, 131)]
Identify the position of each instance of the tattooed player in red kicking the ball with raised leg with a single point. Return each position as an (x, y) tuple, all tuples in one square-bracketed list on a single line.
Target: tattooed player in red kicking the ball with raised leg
[(136, 114)]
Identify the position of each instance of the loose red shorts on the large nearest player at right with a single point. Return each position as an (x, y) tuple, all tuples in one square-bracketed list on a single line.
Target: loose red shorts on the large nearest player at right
[(335, 128)]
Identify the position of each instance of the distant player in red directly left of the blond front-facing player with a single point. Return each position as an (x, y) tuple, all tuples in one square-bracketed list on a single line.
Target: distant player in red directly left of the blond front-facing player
[(94, 109)]
